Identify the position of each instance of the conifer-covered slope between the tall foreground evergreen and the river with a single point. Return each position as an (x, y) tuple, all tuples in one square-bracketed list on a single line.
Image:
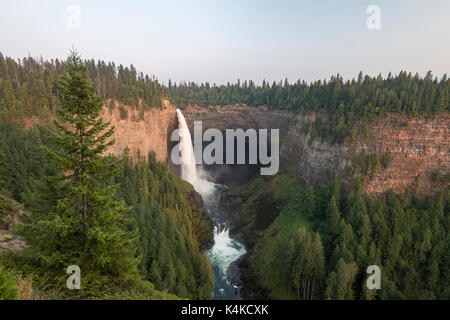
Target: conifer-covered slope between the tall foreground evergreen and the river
[(171, 228)]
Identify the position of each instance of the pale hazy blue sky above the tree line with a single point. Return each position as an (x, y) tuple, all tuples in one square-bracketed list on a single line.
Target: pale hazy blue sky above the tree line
[(223, 40)]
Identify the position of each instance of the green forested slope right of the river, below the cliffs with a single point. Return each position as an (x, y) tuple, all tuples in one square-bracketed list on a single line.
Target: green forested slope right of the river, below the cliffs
[(320, 241)]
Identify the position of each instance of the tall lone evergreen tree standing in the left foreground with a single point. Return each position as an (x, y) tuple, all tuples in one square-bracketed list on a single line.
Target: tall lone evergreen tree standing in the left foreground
[(87, 226)]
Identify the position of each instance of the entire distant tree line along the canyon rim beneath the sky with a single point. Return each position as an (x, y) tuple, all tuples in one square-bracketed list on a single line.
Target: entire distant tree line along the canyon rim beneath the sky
[(27, 88)]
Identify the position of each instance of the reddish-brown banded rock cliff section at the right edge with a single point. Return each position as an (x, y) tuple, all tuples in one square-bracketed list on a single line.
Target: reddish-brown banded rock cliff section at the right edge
[(418, 146)]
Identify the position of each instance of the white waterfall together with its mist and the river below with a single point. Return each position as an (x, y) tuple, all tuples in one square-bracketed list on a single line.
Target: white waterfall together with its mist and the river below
[(225, 250)]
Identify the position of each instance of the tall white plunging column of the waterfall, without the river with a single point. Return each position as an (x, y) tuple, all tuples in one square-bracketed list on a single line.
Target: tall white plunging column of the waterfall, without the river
[(188, 168)]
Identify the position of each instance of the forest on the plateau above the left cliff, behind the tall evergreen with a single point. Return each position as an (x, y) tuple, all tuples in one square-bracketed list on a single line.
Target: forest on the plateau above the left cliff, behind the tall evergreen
[(27, 86)]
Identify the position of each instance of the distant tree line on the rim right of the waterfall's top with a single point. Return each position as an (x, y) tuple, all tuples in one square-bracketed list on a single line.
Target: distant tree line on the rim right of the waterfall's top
[(343, 102)]
